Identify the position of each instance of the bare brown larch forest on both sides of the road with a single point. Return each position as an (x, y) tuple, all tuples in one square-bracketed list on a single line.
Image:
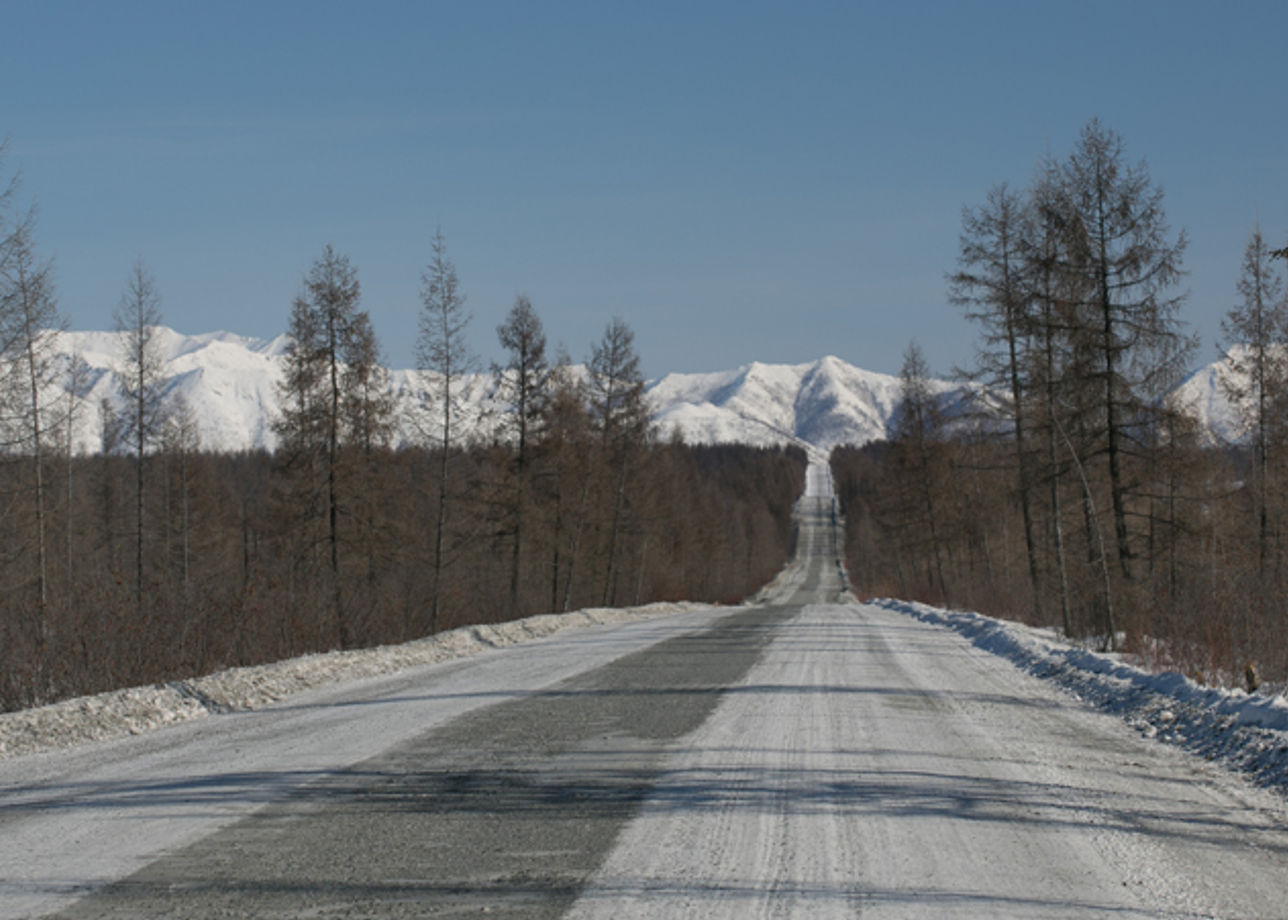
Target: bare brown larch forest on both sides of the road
[(1071, 490)]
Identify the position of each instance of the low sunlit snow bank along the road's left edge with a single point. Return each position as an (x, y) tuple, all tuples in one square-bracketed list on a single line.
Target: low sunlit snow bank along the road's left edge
[(142, 709)]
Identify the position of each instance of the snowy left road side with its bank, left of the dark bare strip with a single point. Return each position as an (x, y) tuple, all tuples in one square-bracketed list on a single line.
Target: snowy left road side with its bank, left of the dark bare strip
[(78, 816)]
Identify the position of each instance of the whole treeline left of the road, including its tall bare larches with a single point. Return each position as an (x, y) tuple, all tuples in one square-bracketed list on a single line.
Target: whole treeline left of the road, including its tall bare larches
[(159, 559)]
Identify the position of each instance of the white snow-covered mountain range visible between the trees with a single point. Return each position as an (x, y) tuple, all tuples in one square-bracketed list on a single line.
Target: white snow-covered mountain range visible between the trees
[(230, 385)]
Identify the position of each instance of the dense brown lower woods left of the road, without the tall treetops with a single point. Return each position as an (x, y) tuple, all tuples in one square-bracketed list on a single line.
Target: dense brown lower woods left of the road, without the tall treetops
[(236, 573)]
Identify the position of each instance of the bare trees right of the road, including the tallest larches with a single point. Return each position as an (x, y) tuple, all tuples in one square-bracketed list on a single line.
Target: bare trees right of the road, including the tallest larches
[(1079, 493)]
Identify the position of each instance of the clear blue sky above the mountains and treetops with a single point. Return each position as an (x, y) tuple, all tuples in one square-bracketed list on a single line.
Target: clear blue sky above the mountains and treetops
[(740, 181)]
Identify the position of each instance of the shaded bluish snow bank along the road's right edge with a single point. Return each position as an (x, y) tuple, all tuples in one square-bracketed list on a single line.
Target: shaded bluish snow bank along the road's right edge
[(1247, 733)]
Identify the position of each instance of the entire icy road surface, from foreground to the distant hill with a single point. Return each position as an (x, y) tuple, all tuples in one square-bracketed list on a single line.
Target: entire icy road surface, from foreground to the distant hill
[(799, 757)]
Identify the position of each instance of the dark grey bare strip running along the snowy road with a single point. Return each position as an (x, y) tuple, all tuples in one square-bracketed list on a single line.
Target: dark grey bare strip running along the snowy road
[(511, 807)]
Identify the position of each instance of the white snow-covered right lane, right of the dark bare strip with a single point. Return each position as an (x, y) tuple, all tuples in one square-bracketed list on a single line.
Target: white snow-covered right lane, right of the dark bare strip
[(875, 765)]
